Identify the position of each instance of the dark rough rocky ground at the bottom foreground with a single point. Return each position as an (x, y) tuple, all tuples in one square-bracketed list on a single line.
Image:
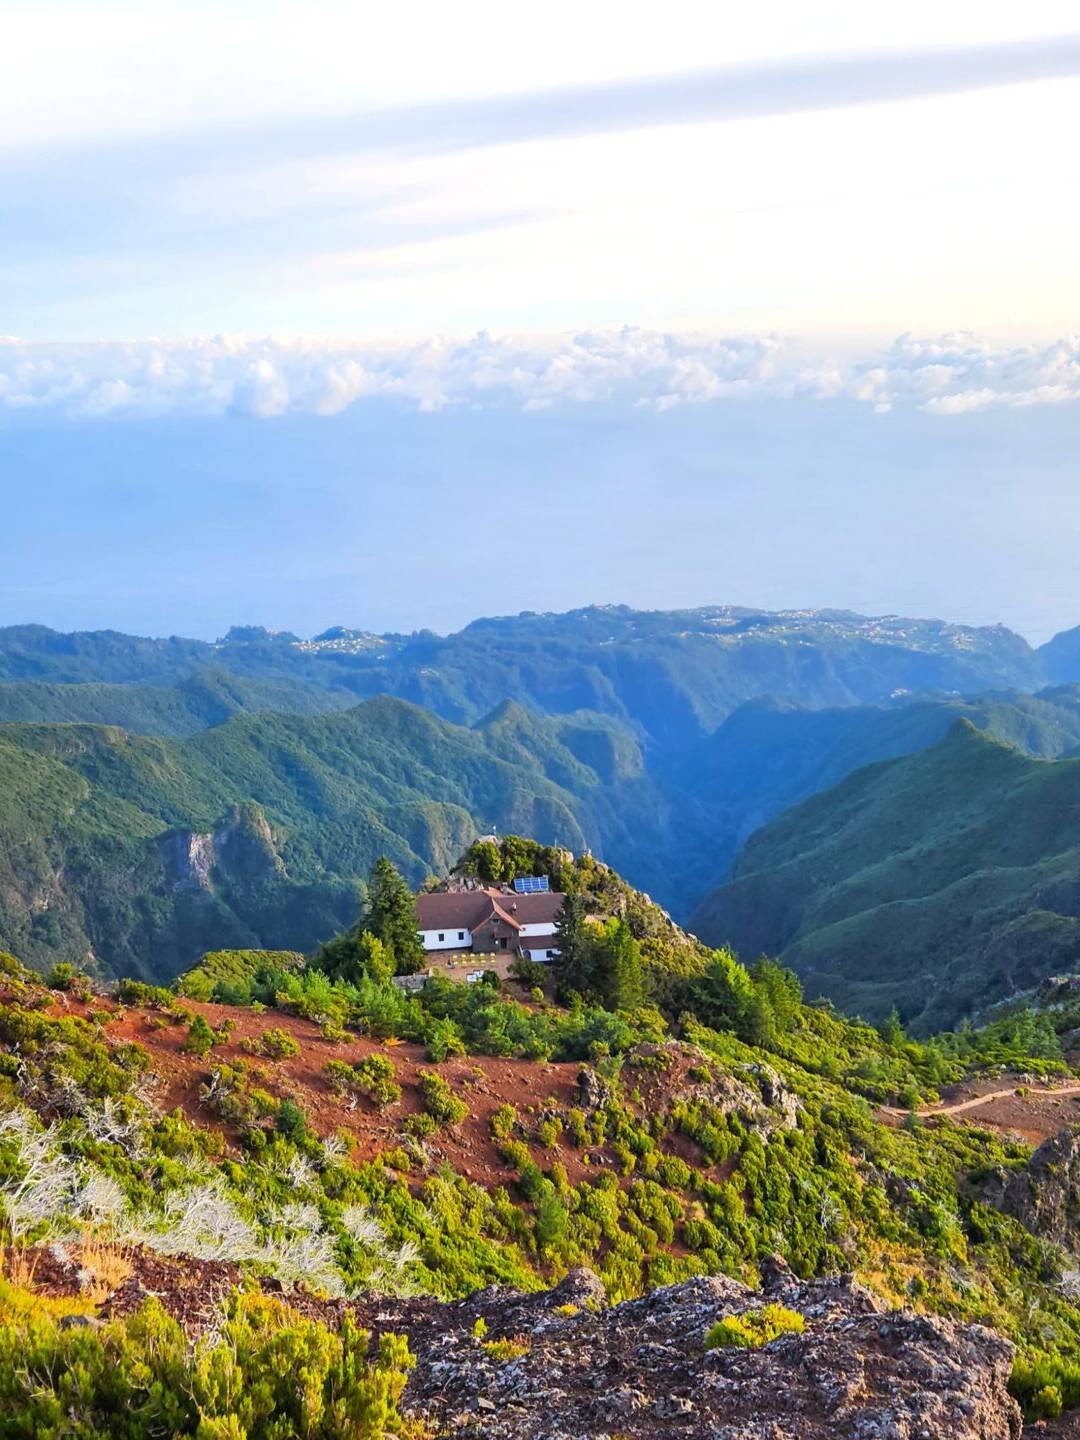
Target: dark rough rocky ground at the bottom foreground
[(581, 1370)]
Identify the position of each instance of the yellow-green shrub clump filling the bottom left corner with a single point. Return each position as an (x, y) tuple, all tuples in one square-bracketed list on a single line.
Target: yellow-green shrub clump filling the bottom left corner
[(267, 1374)]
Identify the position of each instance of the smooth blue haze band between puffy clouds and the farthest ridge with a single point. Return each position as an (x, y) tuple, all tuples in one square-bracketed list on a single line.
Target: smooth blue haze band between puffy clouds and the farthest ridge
[(388, 519)]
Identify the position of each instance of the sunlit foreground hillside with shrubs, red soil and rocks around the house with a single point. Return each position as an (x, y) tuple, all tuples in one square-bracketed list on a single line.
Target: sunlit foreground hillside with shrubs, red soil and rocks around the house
[(212, 1190)]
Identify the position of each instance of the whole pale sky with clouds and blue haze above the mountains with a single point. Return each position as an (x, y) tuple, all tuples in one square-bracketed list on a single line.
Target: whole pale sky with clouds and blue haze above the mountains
[(315, 315)]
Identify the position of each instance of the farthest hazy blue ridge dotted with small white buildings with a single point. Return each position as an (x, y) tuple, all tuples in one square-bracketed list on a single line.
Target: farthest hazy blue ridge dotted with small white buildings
[(673, 676)]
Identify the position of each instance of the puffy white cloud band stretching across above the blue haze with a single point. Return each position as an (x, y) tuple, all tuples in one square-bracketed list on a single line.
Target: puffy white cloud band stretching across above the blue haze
[(945, 377)]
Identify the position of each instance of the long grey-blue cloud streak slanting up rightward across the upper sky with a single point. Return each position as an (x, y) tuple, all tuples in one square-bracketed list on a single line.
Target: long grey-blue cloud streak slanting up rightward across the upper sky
[(222, 188)]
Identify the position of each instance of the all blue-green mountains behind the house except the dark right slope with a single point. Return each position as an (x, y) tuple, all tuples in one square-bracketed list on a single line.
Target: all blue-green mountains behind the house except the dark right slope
[(174, 796)]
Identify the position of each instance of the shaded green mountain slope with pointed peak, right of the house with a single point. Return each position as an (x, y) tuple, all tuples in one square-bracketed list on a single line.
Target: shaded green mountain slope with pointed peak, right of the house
[(940, 882)]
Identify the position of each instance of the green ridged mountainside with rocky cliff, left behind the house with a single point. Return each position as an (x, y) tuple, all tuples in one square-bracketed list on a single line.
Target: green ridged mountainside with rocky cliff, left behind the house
[(135, 855)]
